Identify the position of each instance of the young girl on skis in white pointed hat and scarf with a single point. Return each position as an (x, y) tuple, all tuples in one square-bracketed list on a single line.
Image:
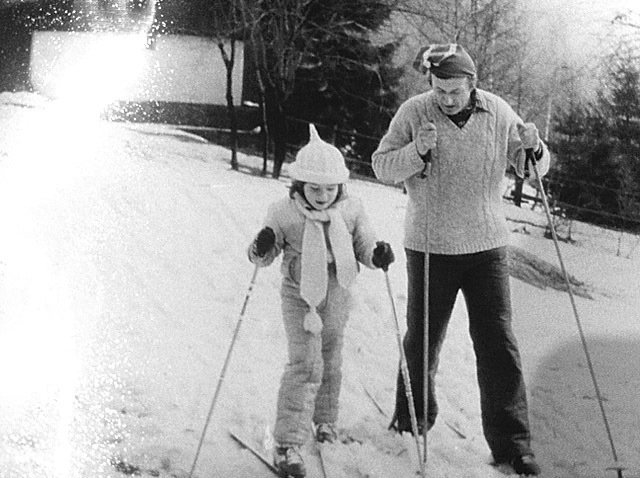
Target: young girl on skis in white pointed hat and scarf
[(322, 233)]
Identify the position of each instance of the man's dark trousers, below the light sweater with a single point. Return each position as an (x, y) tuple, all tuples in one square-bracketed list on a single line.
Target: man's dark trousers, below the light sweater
[(484, 280)]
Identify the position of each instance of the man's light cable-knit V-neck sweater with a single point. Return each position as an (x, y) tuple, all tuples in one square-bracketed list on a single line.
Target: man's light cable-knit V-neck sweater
[(460, 199)]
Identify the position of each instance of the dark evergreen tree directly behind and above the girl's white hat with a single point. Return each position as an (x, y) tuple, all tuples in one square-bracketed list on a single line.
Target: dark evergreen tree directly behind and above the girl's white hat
[(351, 87)]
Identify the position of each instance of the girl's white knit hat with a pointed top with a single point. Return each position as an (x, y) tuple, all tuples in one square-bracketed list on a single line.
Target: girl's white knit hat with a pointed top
[(319, 162)]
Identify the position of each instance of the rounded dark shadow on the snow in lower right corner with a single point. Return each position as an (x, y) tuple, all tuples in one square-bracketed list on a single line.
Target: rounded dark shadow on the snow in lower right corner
[(567, 423)]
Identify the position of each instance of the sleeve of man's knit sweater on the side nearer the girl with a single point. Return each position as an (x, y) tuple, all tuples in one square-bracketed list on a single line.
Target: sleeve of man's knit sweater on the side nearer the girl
[(397, 158)]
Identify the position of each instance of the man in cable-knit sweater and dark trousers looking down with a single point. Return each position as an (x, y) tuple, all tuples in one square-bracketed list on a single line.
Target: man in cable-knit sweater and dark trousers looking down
[(451, 147)]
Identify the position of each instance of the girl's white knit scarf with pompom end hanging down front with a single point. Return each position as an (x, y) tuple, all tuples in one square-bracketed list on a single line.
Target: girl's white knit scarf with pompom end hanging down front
[(314, 277)]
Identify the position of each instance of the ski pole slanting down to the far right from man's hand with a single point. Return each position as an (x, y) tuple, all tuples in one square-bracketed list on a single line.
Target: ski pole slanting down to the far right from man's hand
[(531, 160)]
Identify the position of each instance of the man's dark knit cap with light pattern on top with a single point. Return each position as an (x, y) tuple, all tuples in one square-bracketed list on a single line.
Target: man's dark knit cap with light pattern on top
[(446, 60)]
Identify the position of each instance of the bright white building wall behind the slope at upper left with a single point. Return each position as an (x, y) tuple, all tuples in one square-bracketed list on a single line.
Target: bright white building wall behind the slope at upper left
[(179, 69)]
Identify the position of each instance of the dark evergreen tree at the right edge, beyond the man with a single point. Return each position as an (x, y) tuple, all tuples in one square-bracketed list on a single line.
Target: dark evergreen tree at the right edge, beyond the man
[(597, 147)]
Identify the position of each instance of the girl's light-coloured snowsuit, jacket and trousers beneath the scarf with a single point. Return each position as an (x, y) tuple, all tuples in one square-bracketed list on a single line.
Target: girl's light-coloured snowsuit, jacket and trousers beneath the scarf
[(310, 385)]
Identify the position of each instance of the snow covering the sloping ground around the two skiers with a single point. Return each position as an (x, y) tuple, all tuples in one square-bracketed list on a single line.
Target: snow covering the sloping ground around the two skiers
[(123, 273)]
